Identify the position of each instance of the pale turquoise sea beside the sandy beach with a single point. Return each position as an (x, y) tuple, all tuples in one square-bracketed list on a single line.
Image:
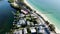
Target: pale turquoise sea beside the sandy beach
[(51, 8)]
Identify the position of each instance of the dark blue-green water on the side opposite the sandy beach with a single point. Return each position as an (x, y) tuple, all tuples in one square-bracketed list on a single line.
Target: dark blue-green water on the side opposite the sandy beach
[(6, 16)]
